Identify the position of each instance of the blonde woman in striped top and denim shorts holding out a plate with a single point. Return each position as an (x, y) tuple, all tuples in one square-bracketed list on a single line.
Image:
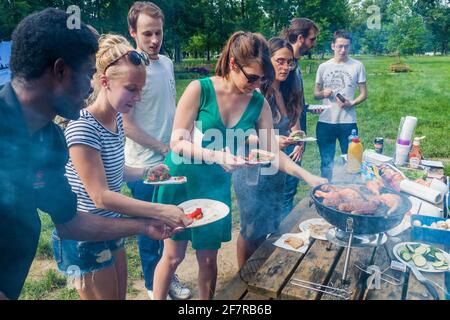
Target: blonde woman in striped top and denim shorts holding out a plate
[(96, 170)]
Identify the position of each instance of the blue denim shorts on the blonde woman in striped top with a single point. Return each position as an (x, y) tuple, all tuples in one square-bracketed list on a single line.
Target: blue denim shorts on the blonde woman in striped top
[(76, 258)]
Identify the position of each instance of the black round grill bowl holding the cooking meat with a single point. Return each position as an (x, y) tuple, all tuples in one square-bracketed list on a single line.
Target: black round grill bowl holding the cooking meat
[(362, 224)]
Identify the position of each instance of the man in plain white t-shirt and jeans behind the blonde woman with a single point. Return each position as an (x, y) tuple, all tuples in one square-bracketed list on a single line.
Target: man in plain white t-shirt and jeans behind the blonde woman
[(148, 126)]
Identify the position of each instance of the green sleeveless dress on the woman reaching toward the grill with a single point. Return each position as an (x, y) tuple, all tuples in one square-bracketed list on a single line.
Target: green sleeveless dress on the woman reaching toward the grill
[(208, 181)]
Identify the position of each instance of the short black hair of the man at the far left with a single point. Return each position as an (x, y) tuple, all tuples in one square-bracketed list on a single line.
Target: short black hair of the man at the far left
[(43, 37)]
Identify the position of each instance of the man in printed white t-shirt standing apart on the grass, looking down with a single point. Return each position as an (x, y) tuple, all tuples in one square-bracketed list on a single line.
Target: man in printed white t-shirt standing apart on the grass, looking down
[(336, 83)]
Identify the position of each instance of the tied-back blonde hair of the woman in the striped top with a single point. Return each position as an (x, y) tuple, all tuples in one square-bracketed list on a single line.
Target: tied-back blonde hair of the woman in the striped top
[(111, 47)]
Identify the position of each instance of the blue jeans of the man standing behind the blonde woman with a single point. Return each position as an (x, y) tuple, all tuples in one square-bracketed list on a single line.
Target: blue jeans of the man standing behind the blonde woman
[(150, 250)]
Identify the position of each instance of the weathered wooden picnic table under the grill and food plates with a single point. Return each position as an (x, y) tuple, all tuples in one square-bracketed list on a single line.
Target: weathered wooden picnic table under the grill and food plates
[(268, 273)]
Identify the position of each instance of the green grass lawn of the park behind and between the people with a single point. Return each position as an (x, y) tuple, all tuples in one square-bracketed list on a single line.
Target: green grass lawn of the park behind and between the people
[(424, 93)]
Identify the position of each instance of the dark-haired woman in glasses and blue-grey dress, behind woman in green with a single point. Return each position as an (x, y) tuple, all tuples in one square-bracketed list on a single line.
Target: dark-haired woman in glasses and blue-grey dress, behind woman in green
[(260, 205)]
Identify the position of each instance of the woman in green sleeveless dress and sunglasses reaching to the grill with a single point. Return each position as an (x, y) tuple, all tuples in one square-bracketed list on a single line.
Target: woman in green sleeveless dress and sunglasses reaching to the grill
[(222, 108)]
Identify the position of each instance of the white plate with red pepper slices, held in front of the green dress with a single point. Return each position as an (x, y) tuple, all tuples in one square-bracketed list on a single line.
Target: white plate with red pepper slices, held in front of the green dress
[(204, 211)]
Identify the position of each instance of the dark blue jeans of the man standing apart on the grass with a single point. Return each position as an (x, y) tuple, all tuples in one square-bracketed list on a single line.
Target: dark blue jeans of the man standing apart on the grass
[(327, 134)]
